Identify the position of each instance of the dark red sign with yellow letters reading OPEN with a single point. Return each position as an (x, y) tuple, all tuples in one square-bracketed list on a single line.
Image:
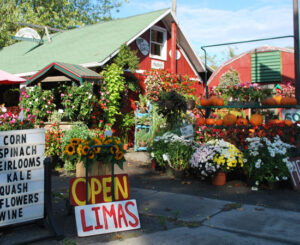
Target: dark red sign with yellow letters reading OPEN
[(99, 189)]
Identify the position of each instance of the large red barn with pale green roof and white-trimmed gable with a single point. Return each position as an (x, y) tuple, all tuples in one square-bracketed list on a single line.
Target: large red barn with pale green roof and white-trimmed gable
[(155, 36)]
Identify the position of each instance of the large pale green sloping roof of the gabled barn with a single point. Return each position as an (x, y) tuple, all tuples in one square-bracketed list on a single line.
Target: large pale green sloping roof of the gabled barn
[(84, 45)]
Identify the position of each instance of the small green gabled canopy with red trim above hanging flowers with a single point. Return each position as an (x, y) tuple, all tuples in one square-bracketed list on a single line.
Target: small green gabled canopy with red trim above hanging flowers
[(74, 72)]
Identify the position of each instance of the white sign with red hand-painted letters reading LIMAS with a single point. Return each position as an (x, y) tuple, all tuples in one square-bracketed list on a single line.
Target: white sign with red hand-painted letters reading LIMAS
[(106, 218)]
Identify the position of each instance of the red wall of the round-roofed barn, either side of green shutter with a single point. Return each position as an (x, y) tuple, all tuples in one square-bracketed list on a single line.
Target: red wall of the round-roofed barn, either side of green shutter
[(243, 66)]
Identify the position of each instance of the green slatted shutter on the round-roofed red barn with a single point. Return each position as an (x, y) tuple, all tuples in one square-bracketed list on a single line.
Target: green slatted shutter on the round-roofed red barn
[(266, 67)]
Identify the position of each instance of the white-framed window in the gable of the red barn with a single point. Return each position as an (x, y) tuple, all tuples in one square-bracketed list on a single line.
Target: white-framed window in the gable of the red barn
[(158, 42)]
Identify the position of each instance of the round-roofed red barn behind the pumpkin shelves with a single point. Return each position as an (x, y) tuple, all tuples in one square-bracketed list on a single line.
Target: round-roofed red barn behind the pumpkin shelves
[(263, 65)]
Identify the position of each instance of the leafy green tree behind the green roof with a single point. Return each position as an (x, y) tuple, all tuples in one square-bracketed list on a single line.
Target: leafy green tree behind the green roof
[(63, 14)]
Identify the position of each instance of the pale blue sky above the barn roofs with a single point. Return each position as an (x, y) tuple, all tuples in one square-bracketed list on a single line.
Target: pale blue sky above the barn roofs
[(207, 22)]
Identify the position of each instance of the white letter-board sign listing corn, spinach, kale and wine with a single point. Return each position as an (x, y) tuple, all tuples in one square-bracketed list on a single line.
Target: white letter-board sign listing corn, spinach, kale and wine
[(21, 175)]
